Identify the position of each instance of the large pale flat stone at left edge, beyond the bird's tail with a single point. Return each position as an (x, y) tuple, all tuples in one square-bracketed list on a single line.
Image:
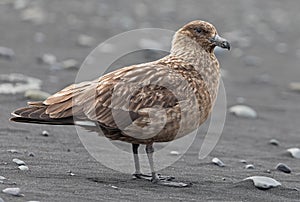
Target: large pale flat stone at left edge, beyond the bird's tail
[(17, 83)]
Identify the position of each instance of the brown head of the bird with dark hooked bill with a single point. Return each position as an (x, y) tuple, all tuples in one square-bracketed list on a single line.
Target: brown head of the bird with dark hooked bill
[(204, 34)]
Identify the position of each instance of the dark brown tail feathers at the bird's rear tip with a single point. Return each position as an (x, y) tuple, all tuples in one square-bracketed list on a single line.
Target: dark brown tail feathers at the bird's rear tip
[(36, 113)]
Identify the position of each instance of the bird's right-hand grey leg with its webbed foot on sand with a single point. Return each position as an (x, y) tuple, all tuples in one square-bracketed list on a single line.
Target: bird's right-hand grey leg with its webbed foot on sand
[(158, 179)]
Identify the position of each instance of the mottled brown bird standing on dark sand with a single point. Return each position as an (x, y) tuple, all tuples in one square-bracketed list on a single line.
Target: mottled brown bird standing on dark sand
[(152, 102)]
